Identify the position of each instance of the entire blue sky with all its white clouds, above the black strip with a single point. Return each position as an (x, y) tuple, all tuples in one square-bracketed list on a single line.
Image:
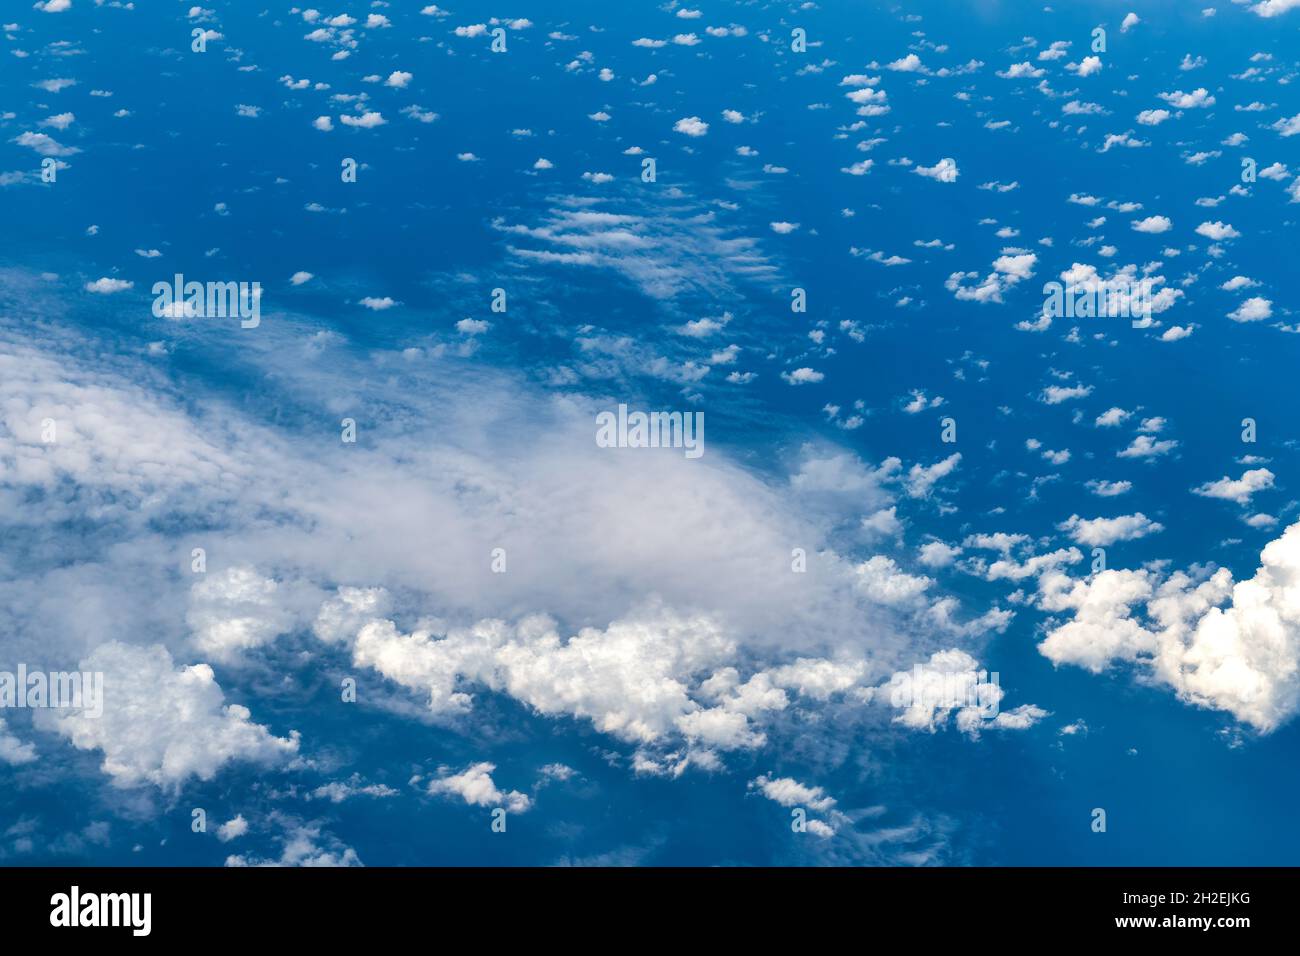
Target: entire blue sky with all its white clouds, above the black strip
[(649, 680)]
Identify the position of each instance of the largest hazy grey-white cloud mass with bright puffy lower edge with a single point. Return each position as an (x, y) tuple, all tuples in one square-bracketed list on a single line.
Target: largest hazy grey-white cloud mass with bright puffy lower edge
[(652, 677)]
